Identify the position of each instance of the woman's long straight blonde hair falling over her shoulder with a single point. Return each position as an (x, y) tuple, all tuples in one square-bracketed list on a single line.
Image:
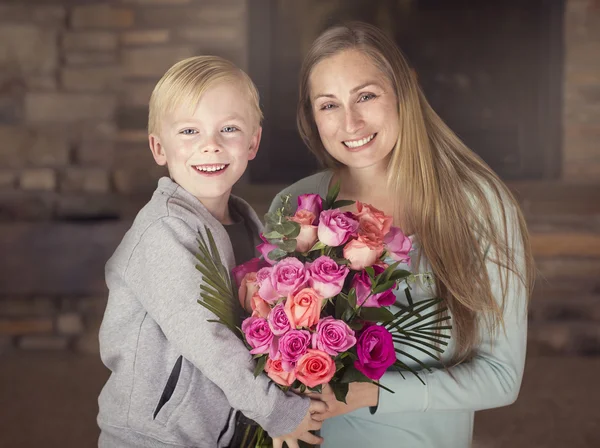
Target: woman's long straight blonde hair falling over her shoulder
[(448, 193)]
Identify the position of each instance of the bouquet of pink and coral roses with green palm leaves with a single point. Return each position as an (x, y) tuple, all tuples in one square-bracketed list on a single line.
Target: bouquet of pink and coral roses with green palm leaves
[(320, 297)]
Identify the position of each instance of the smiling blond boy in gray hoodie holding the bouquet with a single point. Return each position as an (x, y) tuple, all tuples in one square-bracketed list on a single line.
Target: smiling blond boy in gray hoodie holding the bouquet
[(177, 379)]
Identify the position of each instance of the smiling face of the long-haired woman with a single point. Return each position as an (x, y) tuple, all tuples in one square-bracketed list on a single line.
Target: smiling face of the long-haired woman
[(355, 109)]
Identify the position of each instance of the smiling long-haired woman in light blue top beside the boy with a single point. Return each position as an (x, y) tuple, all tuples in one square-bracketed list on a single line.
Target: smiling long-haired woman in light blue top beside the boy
[(365, 118)]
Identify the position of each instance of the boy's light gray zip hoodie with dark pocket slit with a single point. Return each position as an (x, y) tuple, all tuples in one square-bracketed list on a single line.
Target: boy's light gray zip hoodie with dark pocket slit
[(177, 379)]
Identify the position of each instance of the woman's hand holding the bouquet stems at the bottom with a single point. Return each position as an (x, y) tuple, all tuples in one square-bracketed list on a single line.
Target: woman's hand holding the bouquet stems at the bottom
[(359, 395)]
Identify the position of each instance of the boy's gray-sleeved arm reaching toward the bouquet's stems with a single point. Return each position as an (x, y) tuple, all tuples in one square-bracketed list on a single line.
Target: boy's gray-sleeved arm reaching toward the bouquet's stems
[(163, 276)]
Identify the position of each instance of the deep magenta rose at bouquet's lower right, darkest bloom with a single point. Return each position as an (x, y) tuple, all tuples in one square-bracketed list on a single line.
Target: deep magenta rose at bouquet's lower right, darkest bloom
[(375, 350)]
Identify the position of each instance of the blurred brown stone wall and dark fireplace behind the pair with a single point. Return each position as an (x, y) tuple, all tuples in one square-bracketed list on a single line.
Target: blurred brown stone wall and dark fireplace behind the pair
[(518, 80)]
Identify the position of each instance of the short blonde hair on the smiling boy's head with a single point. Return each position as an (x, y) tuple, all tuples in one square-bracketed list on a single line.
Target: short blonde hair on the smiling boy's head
[(187, 80)]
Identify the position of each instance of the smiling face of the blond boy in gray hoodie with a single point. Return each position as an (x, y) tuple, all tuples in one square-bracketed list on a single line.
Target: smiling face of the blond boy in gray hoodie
[(207, 149)]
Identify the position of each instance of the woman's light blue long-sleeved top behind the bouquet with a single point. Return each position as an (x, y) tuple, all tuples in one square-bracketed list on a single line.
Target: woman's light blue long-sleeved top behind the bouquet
[(440, 413)]
